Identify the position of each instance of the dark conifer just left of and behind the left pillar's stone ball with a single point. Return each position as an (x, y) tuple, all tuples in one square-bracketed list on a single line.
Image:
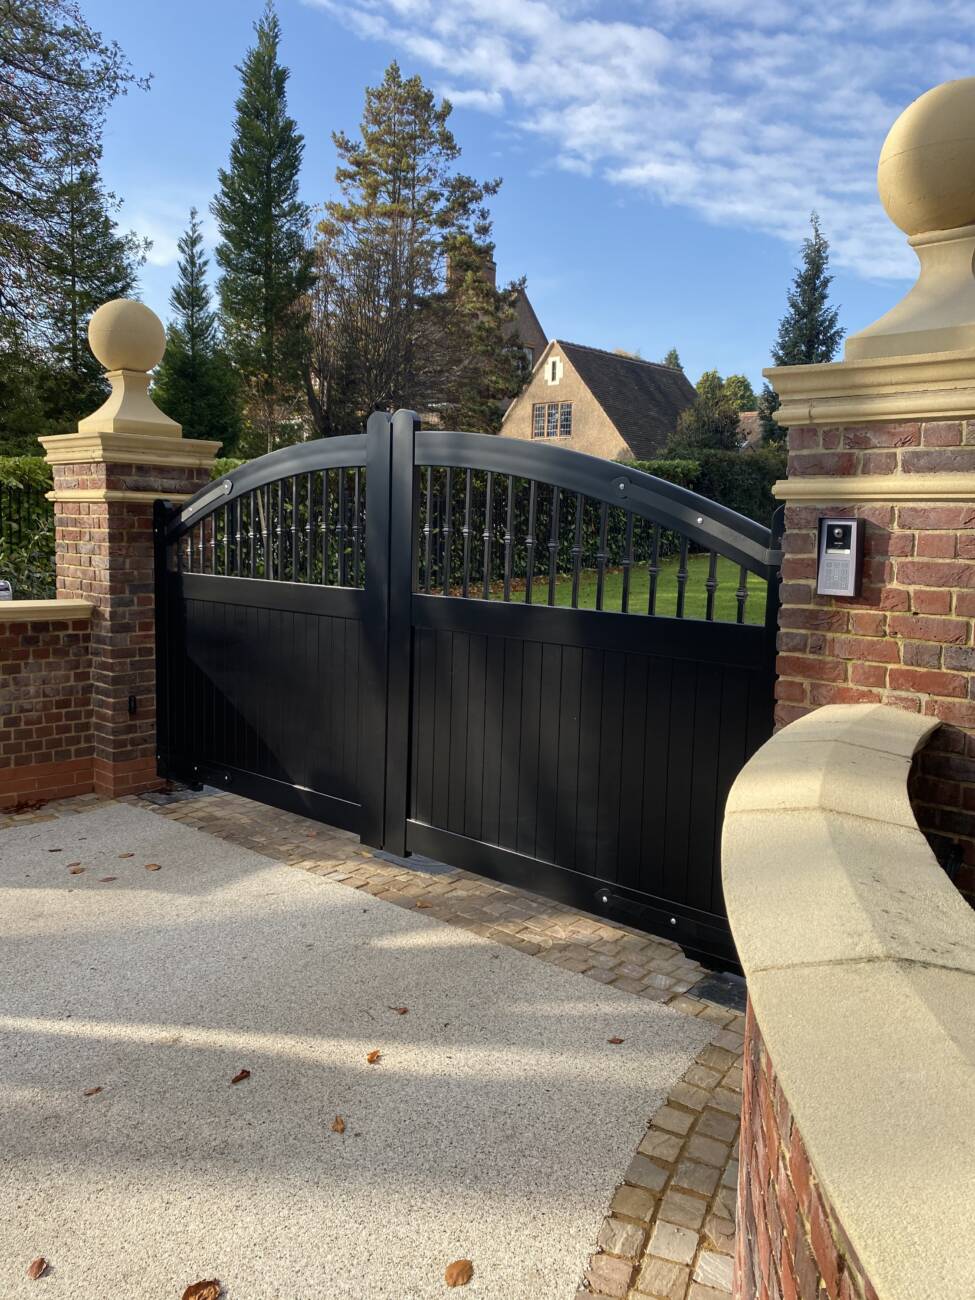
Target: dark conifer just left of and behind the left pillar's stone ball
[(86, 263)]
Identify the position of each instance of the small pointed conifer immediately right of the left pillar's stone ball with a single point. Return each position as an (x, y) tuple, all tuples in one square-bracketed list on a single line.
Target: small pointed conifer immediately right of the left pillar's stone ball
[(196, 383)]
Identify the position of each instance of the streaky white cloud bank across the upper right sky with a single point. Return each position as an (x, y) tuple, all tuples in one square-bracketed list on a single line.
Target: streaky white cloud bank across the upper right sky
[(749, 112)]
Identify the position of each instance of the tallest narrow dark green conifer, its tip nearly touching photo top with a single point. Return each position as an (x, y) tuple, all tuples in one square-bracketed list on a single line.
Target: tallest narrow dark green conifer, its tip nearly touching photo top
[(267, 267)]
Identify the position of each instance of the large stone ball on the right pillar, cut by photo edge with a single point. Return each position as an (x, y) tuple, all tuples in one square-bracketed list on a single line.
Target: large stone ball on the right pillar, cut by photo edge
[(928, 166)]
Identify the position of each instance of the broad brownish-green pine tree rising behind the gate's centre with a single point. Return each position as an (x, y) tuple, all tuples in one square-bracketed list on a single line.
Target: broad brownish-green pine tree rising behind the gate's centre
[(410, 315)]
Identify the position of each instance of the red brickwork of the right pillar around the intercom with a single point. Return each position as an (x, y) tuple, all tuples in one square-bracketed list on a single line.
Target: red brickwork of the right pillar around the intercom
[(908, 639)]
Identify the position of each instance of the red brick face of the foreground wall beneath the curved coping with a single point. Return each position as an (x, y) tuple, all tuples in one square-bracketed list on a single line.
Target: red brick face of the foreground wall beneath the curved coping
[(790, 1243)]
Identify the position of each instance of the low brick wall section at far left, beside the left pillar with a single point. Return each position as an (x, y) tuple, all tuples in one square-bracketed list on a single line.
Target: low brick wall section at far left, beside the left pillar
[(46, 748)]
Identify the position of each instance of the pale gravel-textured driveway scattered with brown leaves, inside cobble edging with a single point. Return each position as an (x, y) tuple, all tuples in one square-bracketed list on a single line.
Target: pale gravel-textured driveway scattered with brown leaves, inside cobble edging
[(493, 1126)]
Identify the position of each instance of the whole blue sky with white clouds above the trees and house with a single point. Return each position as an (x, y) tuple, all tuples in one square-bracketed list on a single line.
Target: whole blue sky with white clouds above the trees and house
[(660, 157)]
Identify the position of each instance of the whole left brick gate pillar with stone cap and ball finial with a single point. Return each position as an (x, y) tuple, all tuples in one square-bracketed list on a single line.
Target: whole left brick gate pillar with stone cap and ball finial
[(107, 476)]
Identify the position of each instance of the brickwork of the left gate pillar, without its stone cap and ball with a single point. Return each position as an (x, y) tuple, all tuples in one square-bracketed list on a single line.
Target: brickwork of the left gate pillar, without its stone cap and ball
[(106, 556)]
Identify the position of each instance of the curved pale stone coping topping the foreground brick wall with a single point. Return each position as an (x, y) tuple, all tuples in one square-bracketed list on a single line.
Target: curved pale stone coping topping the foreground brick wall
[(861, 965)]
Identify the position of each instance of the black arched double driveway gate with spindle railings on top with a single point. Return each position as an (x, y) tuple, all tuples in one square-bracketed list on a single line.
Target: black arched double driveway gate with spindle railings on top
[(541, 666)]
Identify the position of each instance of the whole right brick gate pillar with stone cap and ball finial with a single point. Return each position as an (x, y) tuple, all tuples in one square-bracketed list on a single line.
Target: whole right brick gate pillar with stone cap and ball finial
[(889, 436)]
